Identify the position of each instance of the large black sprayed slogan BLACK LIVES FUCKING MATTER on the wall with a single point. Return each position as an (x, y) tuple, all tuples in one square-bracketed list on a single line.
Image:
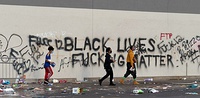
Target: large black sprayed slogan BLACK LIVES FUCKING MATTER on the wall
[(97, 58)]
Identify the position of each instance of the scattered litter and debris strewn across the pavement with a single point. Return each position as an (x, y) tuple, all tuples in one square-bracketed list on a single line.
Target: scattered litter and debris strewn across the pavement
[(28, 90)]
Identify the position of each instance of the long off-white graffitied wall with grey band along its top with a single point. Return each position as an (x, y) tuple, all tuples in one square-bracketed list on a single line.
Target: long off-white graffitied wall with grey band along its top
[(167, 40)]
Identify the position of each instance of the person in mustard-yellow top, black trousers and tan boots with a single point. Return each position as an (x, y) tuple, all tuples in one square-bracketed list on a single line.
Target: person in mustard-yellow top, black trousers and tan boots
[(131, 68)]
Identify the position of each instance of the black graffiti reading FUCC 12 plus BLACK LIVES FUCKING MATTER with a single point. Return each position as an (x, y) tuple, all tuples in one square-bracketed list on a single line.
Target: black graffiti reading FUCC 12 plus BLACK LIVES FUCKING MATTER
[(85, 59)]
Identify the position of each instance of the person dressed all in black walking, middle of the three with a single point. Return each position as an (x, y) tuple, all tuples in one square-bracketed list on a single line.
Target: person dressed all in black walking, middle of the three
[(107, 67)]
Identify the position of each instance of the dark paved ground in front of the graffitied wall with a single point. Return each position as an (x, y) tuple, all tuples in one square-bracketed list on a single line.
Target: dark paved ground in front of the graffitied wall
[(167, 89)]
